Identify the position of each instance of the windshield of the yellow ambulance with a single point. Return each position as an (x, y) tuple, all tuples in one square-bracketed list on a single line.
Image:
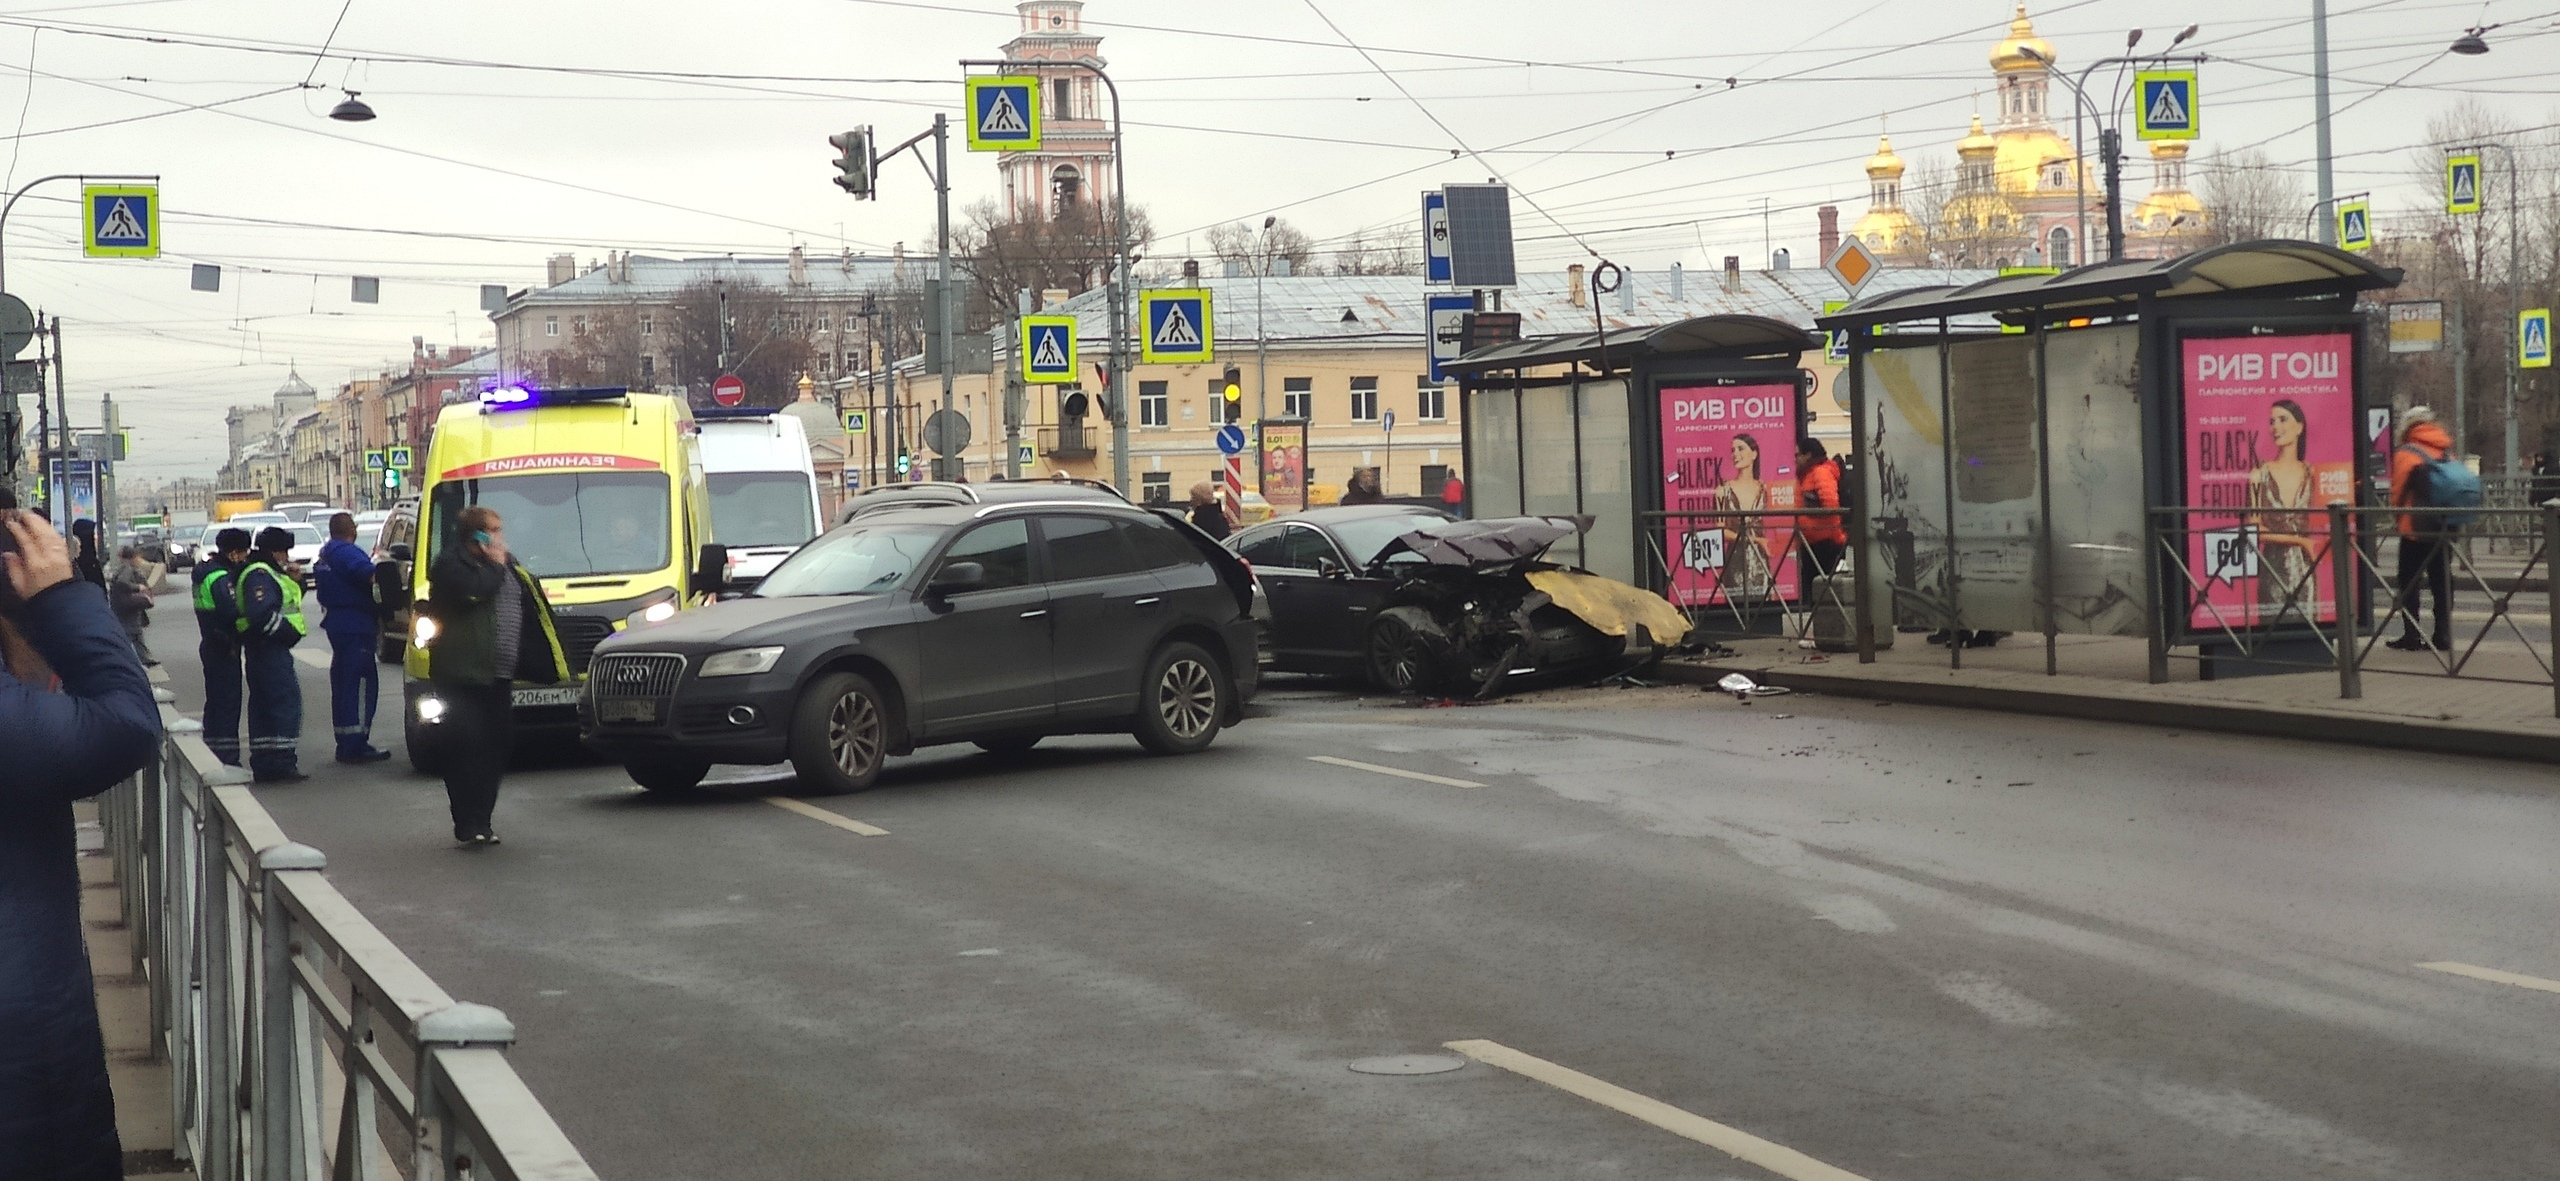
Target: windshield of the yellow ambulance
[(567, 524)]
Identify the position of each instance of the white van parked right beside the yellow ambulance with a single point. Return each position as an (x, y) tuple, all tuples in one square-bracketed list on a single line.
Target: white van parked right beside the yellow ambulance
[(764, 491)]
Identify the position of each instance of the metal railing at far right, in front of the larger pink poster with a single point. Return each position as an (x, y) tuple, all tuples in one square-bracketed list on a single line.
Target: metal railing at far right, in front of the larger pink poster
[(2487, 647)]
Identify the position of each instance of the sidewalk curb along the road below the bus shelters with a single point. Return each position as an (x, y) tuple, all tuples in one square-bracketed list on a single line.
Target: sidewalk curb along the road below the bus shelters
[(2152, 711)]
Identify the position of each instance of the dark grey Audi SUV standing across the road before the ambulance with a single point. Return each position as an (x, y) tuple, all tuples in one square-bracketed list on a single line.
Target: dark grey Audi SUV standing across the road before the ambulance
[(938, 624)]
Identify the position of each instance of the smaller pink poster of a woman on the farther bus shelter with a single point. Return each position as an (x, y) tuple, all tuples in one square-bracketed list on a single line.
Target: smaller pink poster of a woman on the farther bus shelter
[(1729, 450)]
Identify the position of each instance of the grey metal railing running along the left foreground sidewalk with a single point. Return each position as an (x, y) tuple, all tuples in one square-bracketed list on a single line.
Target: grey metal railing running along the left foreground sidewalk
[(301, 1041)]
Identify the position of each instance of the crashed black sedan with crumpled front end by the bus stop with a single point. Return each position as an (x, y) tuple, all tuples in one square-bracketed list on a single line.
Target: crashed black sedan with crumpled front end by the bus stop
[(1466, 608)]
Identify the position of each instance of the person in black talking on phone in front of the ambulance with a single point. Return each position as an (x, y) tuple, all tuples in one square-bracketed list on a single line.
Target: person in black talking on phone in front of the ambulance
[(493, 629)]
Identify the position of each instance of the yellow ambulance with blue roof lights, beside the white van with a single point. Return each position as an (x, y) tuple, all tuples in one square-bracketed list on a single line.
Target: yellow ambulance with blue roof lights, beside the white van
[(605, 503)]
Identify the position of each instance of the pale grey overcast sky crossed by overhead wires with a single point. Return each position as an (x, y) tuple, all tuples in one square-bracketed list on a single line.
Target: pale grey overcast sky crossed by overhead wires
[(1235, 109)]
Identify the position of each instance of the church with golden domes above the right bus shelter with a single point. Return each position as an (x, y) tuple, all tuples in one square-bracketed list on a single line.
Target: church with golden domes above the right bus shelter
[(2016, 196)]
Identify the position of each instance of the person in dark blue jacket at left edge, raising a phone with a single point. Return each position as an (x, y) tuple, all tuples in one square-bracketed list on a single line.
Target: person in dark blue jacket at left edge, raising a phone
[(58, 1116)]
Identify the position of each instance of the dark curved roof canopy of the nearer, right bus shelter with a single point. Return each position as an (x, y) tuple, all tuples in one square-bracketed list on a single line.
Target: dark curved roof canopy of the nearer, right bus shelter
[(2264, 270)]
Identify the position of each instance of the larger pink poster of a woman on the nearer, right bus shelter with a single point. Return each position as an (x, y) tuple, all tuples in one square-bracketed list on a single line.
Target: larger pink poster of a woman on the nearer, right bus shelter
[(2269, 447)]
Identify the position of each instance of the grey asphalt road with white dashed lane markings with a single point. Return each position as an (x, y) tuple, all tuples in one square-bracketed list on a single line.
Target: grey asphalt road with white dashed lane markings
[(1908, 944)]
